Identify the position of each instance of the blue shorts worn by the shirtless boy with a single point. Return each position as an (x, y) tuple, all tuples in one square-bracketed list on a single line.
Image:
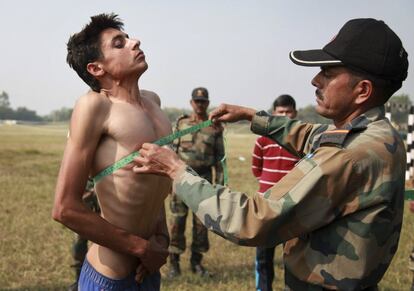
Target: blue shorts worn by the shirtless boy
[(91, 280)]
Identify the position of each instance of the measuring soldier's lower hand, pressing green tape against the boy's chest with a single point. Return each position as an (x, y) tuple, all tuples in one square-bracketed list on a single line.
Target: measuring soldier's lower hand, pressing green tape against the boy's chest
[(154, 159)]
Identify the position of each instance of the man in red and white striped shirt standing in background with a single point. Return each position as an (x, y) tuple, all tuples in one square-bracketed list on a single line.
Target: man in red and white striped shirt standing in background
[(270, 163)]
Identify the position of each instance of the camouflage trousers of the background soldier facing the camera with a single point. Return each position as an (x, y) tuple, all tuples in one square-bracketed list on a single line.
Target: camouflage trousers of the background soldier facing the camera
[(179, 211)]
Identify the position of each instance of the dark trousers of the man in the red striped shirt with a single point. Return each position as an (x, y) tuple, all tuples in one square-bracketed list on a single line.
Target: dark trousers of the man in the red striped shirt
[(265, 272)]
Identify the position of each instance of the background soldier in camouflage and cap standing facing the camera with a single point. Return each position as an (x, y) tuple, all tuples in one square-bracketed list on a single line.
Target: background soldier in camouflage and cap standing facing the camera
[(202, 150)]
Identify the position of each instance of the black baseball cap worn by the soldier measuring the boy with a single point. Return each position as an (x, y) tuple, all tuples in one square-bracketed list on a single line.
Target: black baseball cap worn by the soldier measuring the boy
[(362, 44)]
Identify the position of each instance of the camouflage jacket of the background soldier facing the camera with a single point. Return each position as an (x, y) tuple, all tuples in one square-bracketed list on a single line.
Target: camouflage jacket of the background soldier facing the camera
[(201, 150)]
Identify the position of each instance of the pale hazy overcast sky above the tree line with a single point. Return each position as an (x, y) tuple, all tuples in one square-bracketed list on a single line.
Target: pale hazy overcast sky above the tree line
[(237, 49)]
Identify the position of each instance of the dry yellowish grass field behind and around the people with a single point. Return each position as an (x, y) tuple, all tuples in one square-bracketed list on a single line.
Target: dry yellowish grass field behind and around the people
[(35, 250)]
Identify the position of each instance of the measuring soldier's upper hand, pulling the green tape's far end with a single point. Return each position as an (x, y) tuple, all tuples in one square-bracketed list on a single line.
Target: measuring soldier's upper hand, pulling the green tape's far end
[(231, 113)]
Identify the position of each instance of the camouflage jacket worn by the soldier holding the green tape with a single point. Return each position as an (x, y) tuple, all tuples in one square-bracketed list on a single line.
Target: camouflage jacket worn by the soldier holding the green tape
[(339, 210)]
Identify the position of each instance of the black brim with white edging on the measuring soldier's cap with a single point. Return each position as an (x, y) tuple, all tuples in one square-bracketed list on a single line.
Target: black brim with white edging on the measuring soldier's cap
[(313, 58)]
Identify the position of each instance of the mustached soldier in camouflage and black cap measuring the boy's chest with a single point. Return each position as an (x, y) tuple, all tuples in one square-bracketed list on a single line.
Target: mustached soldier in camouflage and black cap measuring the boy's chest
[(340, 209)]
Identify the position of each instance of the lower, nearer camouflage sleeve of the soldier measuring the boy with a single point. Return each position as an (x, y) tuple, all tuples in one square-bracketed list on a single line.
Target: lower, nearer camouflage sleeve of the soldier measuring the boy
[(307, 198)]
